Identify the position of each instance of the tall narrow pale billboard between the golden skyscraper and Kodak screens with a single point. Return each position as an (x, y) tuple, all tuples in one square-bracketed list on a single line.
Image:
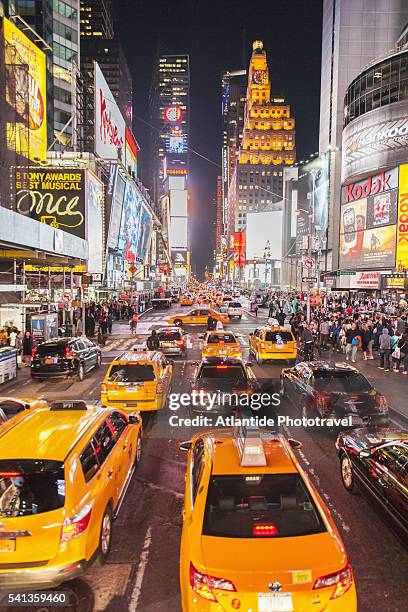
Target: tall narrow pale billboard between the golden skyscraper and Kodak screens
[(313, 177)]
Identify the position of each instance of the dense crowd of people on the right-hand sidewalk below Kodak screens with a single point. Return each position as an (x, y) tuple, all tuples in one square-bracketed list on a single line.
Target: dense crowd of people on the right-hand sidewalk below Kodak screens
[(370, 327)]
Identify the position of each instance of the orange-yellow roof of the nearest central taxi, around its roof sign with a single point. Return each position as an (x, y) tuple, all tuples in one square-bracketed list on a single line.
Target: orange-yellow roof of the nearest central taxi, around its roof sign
[(225, 458)]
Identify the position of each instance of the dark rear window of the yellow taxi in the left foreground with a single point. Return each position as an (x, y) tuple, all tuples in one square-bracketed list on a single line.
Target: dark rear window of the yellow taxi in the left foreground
[(29, 486)]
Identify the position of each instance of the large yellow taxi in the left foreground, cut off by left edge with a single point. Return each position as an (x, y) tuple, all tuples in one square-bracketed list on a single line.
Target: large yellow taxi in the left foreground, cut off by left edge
[(64, 471)]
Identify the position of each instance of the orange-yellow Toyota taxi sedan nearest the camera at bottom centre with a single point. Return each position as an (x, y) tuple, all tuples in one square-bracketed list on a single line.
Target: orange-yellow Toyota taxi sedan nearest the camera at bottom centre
[(256, 534)]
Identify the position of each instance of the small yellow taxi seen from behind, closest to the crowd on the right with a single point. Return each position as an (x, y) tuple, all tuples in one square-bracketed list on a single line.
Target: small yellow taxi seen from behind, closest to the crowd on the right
[(267, 343)]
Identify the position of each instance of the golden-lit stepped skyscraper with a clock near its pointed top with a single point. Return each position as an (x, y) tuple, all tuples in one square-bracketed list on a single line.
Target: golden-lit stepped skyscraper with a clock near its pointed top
[(267, 146)]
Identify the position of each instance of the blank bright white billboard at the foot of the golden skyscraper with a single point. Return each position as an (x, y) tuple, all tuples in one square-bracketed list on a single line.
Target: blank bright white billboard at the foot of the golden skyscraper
[(264, 235)]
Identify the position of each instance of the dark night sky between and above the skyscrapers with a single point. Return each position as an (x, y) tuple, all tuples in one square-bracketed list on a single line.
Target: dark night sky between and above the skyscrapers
[(218, 35)]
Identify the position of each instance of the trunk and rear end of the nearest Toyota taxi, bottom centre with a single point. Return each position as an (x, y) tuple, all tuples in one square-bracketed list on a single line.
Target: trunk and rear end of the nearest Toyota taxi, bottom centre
[(253, 579)]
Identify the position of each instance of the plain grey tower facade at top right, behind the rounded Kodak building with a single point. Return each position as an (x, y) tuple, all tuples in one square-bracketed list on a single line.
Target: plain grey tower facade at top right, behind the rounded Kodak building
[(354, 33)]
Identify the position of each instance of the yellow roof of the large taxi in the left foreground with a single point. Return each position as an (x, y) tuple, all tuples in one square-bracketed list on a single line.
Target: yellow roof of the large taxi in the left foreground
[(47, 434)]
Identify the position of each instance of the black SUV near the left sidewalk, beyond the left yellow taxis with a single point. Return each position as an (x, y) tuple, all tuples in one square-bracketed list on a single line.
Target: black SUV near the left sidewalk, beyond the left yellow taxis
[(64, 357)]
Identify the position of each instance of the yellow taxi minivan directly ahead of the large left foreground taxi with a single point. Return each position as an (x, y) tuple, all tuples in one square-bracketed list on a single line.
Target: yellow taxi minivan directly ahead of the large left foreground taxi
[(138, 380)]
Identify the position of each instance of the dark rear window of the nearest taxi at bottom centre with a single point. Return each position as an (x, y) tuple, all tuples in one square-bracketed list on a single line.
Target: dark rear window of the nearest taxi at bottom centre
[(263, 505)]
